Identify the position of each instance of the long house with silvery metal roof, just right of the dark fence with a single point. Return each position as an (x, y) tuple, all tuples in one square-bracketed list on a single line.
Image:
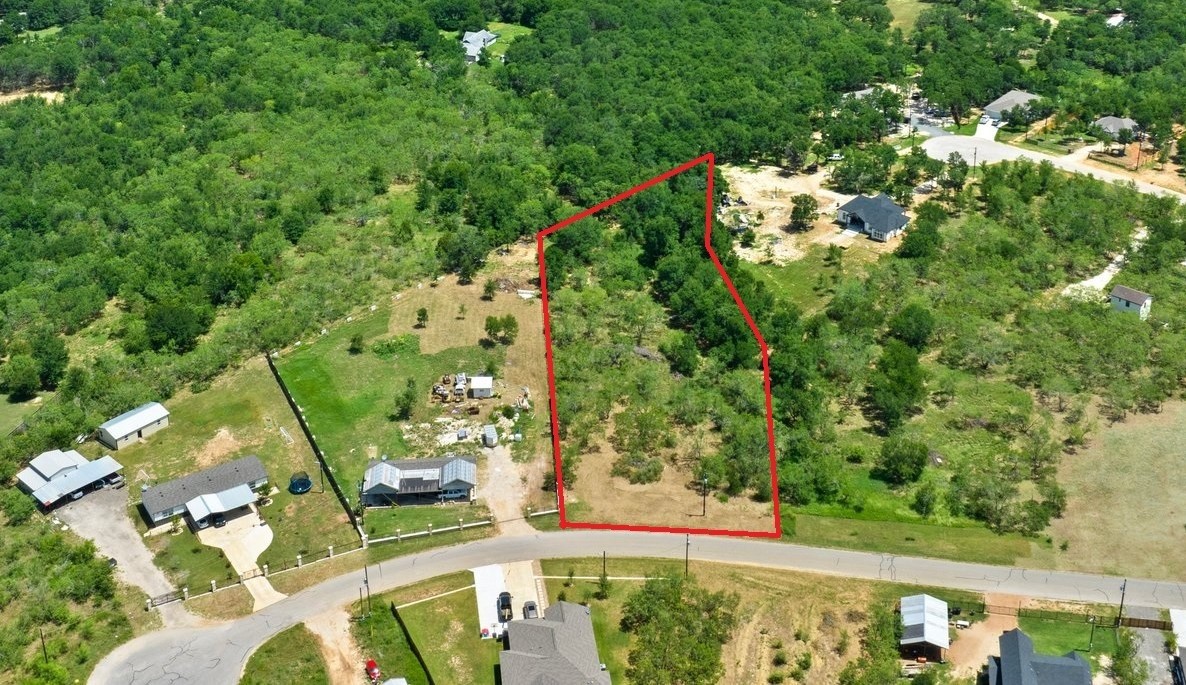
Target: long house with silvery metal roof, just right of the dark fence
[(418, 481)]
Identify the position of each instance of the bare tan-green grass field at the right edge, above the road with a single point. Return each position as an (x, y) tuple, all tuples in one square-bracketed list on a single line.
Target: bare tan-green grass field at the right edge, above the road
[(1125, 513)]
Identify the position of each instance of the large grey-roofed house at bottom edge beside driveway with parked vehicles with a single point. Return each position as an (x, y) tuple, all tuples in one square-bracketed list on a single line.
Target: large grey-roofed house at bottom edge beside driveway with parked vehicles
[(560, 648)]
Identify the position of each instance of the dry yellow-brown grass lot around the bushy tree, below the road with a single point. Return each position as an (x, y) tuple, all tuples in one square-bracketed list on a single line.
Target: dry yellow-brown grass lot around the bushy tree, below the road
[(777, 611)]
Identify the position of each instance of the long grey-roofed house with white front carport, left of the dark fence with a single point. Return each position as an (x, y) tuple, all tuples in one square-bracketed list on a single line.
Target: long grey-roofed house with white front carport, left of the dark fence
[(218, 490)]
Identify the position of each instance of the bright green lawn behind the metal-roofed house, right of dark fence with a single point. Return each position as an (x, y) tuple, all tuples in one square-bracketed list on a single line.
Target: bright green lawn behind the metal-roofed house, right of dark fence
[(349, 399)]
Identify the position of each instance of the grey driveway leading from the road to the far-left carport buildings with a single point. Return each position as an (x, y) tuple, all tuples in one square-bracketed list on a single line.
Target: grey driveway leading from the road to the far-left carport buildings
[(103, 517)]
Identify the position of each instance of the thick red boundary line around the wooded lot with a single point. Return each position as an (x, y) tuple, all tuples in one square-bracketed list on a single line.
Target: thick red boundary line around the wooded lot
[(711, 161)]
